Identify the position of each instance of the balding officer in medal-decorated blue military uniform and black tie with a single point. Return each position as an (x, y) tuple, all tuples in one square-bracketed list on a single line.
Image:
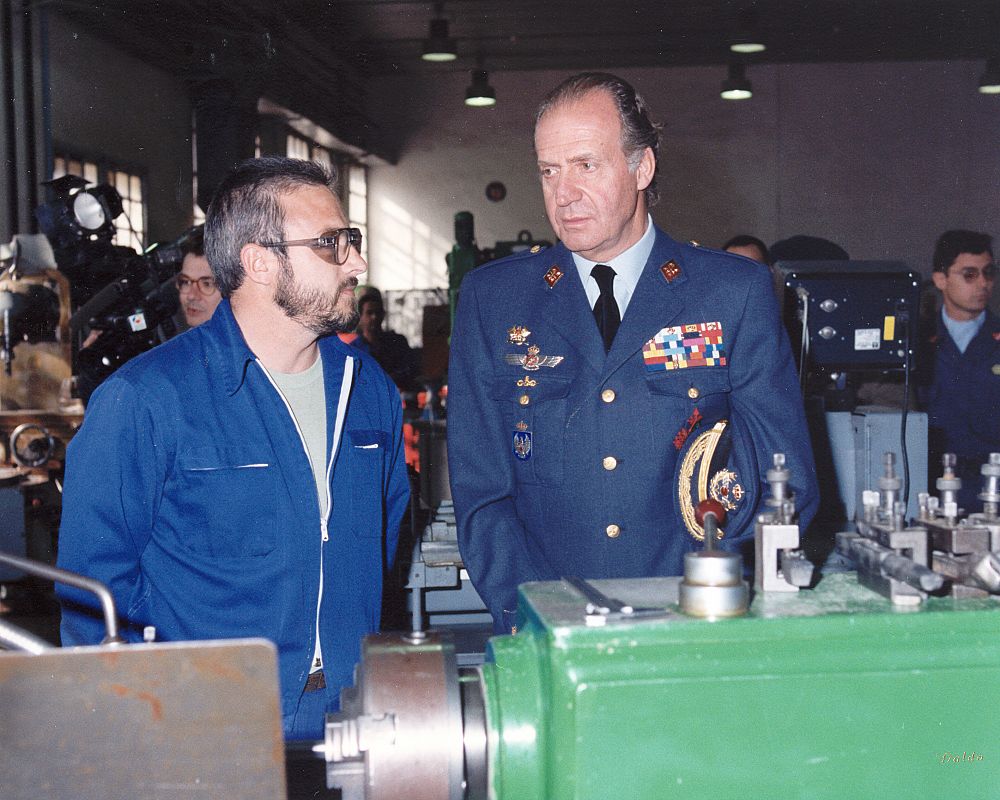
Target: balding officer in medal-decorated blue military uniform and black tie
[(599, 389)]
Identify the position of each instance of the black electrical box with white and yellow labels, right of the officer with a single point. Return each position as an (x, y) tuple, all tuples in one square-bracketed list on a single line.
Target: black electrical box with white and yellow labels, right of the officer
[(851, 316)]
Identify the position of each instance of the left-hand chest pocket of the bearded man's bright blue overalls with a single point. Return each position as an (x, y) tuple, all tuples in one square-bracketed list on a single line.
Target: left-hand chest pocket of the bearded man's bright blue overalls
[(226, 501)]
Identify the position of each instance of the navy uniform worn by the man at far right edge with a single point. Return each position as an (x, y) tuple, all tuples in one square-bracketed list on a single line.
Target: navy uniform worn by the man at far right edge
[(963, 403)]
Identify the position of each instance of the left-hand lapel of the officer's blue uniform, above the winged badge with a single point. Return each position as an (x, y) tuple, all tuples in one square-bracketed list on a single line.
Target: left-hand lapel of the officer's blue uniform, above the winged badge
[(567, 309)]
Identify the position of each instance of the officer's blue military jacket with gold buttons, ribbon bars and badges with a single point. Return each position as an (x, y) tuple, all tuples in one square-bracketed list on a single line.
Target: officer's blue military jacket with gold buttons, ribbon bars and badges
[(565, 460)]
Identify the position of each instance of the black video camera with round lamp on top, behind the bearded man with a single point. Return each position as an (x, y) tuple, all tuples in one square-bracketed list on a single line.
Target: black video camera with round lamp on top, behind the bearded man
[(124, 295)]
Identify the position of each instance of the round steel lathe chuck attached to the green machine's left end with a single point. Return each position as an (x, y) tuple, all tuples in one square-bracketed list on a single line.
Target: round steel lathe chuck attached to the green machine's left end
[(412, 726)]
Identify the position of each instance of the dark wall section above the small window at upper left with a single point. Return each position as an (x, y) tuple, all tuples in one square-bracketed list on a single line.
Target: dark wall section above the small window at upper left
[(105, 103)]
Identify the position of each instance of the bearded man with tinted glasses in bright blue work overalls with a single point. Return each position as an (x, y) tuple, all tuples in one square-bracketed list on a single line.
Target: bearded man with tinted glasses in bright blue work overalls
[(246, 479)]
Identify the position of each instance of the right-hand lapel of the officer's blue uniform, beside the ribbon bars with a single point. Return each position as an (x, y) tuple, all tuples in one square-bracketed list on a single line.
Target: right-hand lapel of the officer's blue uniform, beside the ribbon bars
[(655, 304)]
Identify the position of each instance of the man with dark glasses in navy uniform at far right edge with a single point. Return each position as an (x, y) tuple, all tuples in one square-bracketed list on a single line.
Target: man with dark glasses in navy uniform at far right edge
[(962, 388)]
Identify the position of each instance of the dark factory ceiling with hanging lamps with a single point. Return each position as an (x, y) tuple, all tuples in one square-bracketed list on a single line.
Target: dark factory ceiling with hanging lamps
[(303, 52)]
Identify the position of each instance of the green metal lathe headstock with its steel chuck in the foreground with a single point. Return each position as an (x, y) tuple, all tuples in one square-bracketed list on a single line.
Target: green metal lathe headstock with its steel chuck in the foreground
[(832, 692)]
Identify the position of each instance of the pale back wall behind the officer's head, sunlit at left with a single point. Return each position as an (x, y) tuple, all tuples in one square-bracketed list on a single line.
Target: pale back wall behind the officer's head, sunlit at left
[(880, 158)]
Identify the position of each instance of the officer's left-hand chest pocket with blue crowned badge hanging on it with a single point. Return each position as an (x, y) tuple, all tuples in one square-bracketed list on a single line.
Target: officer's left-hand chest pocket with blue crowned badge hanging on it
[(534, 414)]
